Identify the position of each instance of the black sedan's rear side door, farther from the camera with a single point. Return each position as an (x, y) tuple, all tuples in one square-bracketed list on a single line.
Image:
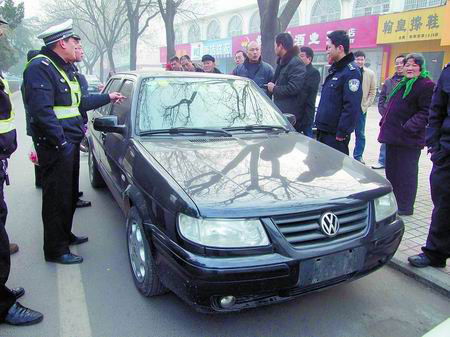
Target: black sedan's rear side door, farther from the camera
[(97, 138)]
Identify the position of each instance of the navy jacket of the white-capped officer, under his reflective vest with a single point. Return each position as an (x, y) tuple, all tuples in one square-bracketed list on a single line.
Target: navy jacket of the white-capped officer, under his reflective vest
[(45, 88)]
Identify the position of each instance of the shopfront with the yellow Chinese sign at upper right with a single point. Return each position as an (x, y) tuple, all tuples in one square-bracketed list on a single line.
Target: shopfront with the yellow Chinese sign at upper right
[(417, 31)]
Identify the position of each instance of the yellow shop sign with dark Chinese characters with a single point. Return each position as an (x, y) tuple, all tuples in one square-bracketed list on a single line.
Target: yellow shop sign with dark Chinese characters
[(419, 25)]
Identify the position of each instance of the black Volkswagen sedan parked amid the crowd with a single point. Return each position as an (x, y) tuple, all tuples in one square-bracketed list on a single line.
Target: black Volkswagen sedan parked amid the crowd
[(226, 205)]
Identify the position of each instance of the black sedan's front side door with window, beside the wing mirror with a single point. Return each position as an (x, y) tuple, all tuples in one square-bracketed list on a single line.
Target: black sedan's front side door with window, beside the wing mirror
[(116, 144)]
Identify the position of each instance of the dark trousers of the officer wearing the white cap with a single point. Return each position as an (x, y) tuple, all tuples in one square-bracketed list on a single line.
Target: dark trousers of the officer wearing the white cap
[(58, 196)]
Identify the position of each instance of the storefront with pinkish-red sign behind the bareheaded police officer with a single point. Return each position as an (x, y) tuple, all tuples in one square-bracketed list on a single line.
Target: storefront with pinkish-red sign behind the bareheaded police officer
[(362, 32)]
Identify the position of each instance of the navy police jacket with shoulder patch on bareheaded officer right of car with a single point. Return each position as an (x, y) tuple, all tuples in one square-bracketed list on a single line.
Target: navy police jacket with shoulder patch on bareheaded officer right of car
[(340, 100)]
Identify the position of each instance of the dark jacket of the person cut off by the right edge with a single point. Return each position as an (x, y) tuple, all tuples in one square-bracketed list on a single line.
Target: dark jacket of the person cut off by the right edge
[(438, 129)]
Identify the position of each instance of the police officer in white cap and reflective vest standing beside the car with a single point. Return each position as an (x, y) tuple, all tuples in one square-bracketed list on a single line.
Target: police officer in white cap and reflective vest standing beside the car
[(53, 98)]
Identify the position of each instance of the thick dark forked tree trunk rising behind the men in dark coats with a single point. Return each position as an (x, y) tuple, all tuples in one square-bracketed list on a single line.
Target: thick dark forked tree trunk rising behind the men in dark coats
[(272, 24)]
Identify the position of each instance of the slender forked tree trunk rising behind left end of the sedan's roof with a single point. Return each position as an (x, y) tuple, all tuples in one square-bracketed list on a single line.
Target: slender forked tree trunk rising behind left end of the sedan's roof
[(136, 11)]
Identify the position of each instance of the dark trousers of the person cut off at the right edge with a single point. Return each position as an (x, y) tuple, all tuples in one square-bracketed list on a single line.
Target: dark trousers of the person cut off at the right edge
[(437, 247)]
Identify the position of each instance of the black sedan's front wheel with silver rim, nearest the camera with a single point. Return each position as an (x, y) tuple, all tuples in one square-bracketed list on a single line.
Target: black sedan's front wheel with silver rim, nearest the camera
[(140, 257)]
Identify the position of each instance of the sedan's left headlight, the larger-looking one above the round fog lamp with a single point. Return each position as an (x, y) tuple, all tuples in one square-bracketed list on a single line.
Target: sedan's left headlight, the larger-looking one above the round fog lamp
[(223, 233)]
